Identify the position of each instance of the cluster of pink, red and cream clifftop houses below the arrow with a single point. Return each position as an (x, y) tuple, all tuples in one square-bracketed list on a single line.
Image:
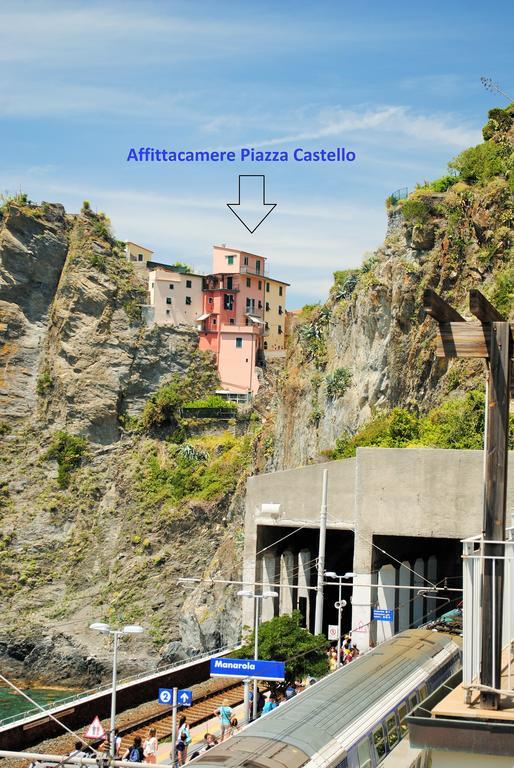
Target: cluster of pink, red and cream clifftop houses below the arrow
[(238, 310)]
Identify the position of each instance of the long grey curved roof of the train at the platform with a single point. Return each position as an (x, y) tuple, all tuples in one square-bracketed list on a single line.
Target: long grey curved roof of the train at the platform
[(311, 720)]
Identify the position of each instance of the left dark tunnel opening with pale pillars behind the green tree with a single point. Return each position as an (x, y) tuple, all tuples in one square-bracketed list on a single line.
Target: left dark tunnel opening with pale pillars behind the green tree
[(288, 557)]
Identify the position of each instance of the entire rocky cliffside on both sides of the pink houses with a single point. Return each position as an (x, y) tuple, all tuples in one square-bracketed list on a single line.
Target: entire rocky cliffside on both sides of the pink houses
[(106, 499)]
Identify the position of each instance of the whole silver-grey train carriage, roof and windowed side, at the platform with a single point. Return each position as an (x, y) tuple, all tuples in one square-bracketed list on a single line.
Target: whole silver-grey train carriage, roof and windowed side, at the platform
[(354, 717)]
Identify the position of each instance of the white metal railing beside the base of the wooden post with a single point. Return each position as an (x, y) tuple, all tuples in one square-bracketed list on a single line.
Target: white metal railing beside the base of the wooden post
[(474, 557)]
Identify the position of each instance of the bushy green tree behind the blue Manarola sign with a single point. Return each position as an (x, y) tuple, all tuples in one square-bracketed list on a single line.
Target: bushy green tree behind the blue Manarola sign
[(284, 639)]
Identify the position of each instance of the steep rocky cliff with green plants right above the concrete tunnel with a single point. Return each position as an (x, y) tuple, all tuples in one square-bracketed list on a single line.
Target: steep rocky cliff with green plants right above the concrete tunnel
[(370, 348)]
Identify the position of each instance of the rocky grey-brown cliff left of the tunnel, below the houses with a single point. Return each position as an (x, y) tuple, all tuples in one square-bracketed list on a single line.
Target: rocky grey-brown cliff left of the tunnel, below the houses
[(111, 542)]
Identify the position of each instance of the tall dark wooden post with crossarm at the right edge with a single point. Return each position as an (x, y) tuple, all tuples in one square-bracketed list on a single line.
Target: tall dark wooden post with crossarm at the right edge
[(491, 339)]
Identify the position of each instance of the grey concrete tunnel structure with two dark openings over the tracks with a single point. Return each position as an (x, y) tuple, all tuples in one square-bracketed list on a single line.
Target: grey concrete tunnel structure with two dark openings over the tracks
[(396, 517)]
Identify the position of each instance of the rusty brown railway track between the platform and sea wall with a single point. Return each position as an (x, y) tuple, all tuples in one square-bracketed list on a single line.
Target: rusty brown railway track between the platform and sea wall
[(201, 711)]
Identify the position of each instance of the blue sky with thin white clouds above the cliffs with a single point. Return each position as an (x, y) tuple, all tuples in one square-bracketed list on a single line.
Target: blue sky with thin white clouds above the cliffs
[(398, 83)]
